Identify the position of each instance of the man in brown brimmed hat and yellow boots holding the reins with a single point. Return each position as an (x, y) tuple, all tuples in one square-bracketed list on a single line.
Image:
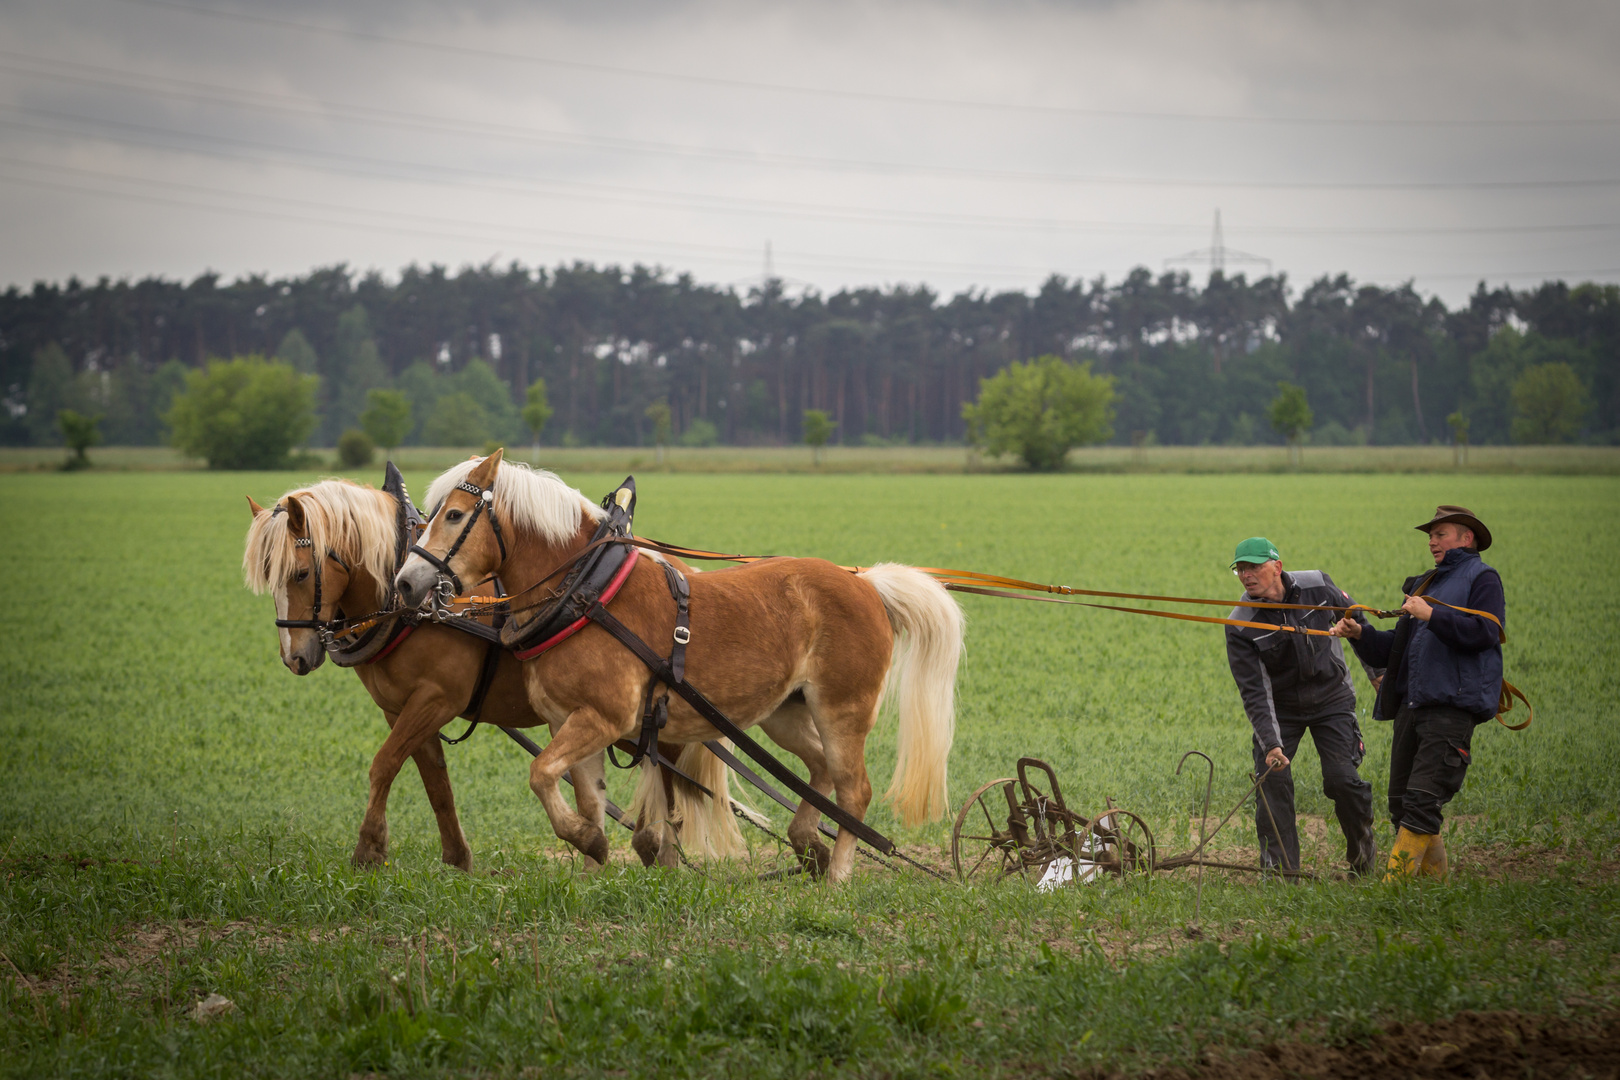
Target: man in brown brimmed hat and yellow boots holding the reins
[(1444, 676)]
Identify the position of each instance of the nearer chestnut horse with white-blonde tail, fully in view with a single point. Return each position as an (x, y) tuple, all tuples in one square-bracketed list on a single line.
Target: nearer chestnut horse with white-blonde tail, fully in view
[(798, 647)]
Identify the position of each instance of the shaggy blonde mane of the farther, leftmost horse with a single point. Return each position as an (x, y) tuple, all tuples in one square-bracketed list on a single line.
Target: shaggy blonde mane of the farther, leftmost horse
[(352, 521)]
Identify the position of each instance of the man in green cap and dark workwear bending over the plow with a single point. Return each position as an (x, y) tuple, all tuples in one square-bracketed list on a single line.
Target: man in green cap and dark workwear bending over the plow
[(1292, 684)]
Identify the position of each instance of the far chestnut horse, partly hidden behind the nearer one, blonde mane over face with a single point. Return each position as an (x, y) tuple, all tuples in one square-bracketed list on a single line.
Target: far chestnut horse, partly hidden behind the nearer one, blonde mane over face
[(425, 676)]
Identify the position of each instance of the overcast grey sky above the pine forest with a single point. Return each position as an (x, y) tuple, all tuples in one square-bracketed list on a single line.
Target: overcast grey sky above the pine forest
[(953, 145)]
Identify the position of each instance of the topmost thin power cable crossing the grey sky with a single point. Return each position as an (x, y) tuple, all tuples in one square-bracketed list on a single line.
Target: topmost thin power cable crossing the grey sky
[(850, 95)]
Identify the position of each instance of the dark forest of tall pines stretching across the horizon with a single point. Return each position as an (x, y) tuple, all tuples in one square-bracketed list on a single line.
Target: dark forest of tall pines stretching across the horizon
[(1190, 365)]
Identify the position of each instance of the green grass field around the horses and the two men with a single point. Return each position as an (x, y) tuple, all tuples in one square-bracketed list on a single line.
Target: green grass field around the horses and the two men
[(177, 810)]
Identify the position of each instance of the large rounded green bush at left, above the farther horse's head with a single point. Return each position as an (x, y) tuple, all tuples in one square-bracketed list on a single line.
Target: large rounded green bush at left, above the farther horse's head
[(244, 414)]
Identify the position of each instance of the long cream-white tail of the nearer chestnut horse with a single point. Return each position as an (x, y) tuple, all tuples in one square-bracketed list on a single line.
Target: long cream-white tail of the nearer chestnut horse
[(923, 678)]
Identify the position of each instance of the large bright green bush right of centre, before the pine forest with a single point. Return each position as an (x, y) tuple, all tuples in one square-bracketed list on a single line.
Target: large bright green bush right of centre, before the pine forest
[(1041, 410)]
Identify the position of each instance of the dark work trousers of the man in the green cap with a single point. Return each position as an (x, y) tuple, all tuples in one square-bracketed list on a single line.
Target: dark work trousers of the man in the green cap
[(1339, 746)]
